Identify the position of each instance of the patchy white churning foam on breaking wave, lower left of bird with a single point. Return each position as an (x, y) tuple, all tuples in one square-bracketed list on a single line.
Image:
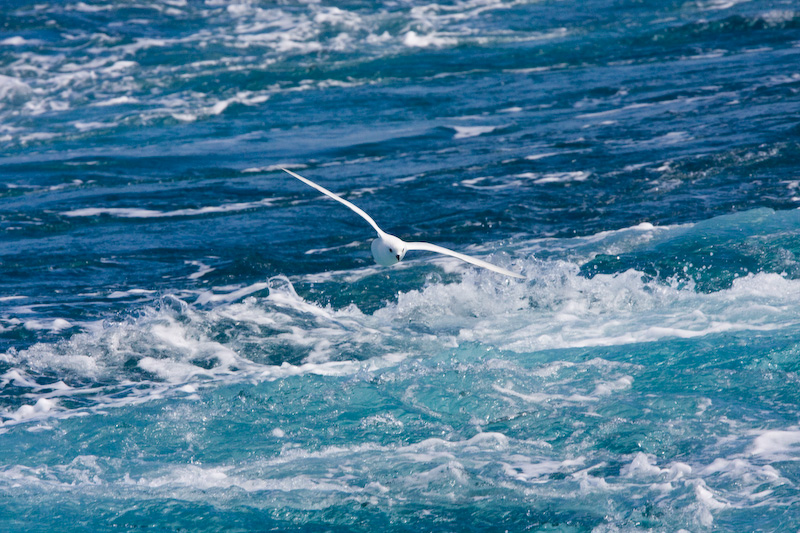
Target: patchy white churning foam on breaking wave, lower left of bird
[(177, 353)]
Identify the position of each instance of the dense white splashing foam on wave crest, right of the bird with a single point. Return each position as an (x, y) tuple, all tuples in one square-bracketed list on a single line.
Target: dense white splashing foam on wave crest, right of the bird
[(572, 311)]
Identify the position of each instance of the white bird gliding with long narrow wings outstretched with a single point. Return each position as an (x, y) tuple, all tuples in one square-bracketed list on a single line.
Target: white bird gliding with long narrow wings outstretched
[(388, 249)]
